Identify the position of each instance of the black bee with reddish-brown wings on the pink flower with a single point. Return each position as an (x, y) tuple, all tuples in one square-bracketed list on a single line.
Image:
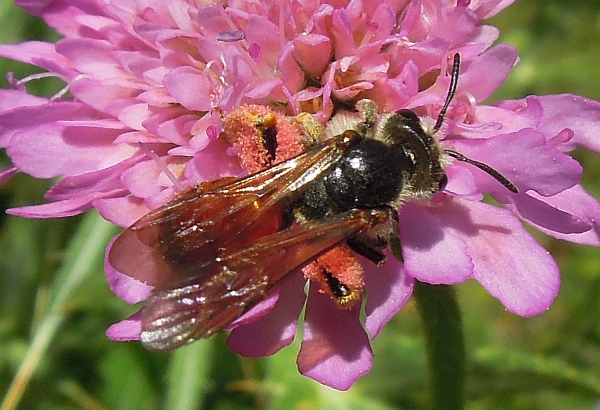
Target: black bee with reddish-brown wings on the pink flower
[(221, 247)]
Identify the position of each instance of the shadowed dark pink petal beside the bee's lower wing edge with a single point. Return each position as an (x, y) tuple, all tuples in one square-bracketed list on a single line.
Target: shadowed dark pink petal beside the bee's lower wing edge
[(277, 328)]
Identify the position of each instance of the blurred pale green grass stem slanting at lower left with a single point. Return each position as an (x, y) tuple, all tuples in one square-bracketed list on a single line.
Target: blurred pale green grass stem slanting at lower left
[(83, 256)]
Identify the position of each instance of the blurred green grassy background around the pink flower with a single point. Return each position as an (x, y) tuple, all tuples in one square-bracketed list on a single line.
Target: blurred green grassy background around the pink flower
[(547, 362)]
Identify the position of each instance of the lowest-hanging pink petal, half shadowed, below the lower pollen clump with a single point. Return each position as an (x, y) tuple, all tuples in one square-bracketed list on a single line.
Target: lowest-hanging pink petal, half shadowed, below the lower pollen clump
[(335, 349)]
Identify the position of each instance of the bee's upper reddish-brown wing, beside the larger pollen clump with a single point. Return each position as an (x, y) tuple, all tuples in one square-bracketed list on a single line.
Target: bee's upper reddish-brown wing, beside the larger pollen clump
[(179, 240)]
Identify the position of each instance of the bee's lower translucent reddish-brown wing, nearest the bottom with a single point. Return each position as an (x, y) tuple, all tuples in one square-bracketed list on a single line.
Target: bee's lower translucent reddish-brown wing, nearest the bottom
[(241, 279)]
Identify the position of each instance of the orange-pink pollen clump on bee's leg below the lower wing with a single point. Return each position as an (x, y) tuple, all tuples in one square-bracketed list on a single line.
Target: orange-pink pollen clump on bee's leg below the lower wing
[(339, 274)]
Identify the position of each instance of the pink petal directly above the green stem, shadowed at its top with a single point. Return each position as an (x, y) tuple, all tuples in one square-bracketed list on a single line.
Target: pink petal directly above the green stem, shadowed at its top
[(432, 253)]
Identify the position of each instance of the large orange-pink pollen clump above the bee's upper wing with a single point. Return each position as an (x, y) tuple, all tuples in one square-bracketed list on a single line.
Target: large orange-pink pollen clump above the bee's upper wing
[(262, 137)]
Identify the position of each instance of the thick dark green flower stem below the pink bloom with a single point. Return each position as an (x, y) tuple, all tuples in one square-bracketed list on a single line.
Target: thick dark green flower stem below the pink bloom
[(442, 325)]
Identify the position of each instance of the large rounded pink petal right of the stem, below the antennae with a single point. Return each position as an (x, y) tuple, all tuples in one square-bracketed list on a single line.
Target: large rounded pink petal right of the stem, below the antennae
[(508, 261)]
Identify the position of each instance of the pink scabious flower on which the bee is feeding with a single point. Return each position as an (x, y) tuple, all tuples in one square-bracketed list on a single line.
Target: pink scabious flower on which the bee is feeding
[(148, 83)]
